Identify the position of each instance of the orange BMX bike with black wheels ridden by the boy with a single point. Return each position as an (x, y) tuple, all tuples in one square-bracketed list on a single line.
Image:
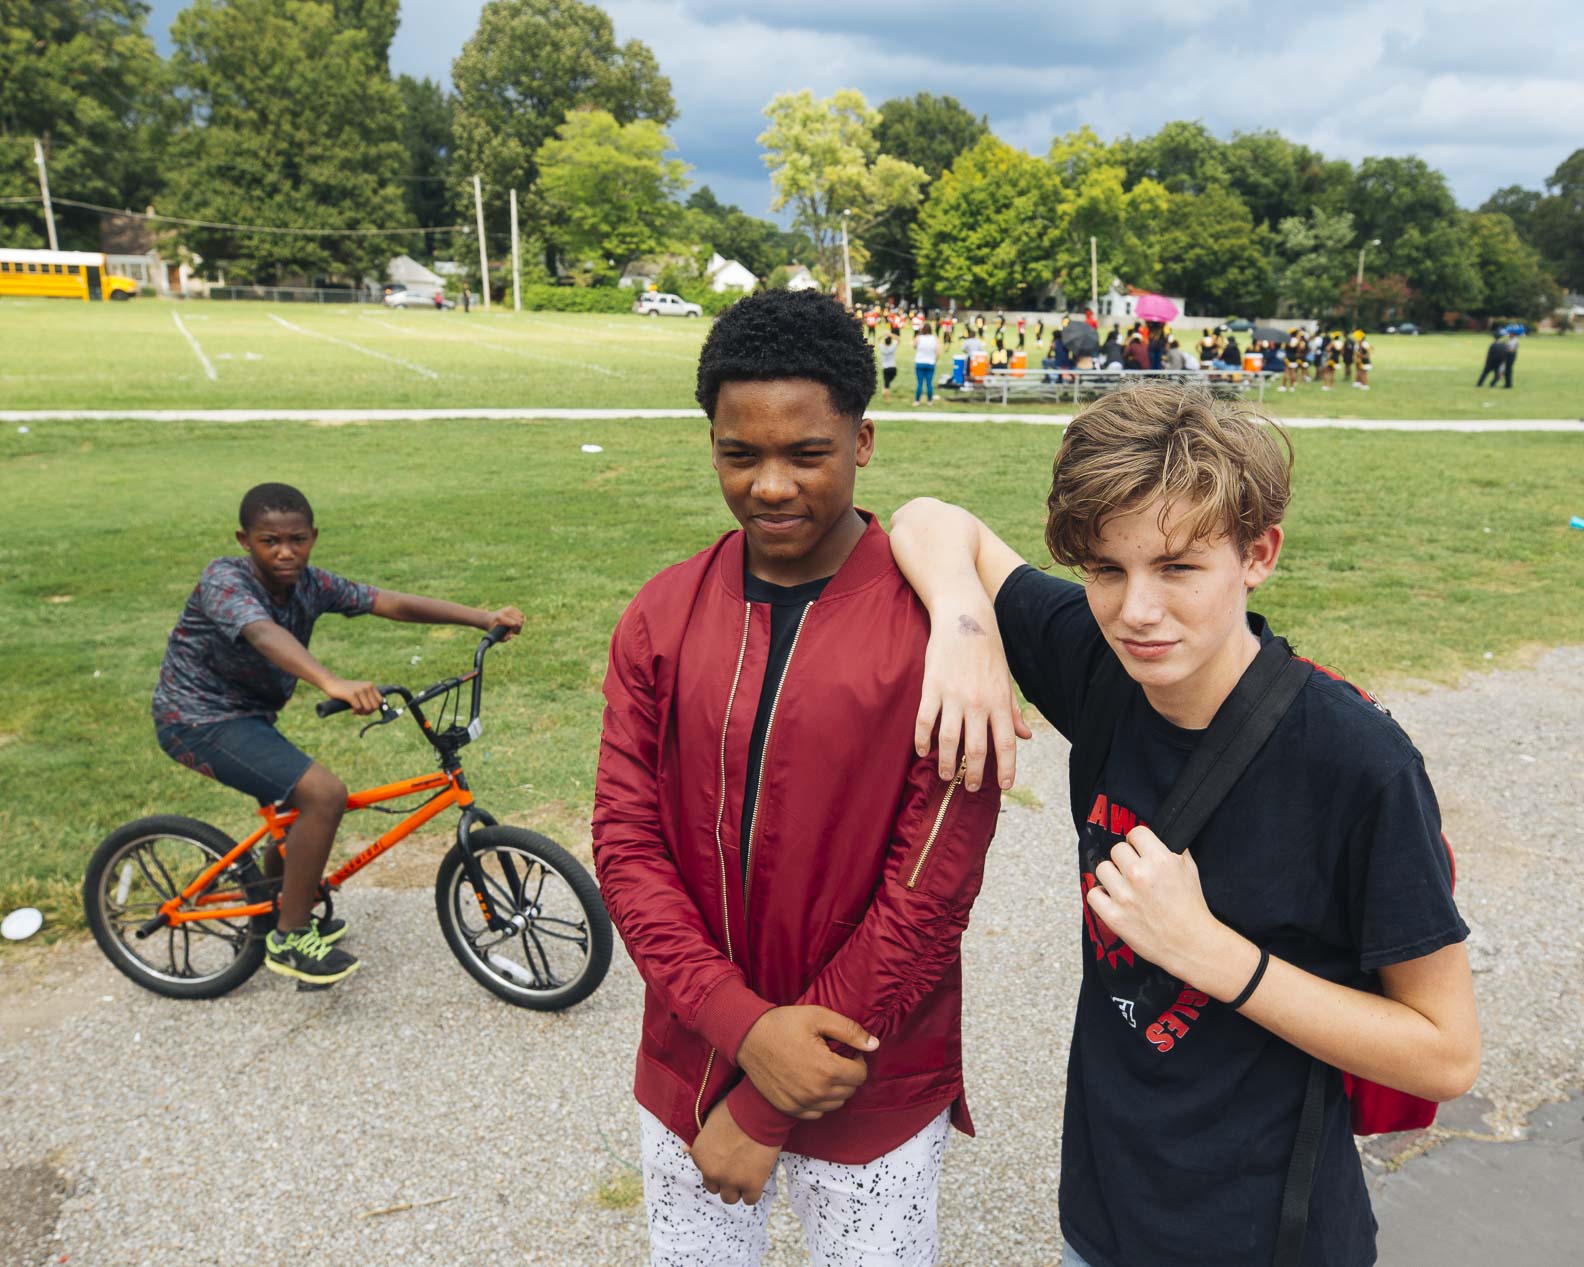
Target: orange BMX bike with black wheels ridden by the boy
[(183, 910)]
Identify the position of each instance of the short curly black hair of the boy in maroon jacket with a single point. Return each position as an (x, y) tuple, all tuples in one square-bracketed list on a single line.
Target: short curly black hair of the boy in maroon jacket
[(790, 335)]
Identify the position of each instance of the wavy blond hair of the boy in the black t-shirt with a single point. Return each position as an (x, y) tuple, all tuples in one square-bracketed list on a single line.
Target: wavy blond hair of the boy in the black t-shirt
[(1225, 463)]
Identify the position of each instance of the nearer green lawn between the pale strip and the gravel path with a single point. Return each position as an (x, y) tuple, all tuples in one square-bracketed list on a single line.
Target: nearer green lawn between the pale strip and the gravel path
[(1409, 557)]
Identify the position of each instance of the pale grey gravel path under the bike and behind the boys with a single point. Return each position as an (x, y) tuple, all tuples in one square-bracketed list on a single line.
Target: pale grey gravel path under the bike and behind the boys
[(280, 1127)]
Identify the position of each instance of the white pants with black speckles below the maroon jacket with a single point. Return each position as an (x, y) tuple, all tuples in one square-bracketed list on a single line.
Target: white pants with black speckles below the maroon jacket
[(875, 1216)]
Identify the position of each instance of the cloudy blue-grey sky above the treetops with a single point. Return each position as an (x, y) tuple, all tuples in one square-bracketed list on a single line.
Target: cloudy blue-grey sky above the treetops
[(1488, 93)]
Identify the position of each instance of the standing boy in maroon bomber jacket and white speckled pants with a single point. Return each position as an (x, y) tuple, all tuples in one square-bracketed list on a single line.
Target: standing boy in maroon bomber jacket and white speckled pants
[(790, 873)]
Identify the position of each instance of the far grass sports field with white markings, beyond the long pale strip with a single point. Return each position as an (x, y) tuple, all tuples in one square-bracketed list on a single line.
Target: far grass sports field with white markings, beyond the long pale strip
[(64, 356)]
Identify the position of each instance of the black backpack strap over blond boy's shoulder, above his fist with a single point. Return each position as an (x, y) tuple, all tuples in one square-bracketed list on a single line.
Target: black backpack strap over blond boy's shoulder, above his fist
[(1241, 728)]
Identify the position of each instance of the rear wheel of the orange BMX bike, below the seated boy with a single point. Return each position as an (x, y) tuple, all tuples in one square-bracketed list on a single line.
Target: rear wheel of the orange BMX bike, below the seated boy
[(140, 867)]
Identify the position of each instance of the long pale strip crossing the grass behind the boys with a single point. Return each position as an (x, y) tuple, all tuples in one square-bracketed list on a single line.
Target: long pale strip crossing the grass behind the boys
[(1574, 427)]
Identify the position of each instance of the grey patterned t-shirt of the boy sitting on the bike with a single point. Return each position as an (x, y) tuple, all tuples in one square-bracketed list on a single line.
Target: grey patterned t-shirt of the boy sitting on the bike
[(211, 674)]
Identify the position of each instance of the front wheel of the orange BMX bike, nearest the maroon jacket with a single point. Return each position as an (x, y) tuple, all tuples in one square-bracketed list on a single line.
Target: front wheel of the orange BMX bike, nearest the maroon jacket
[(563, 949)]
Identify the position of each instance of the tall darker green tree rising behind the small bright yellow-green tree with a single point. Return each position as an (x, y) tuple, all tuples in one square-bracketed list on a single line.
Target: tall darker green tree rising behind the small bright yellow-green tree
[(527, 66)]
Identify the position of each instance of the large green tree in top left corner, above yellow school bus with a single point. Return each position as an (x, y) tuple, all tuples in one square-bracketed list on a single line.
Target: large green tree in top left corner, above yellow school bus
[(85, 80)]
